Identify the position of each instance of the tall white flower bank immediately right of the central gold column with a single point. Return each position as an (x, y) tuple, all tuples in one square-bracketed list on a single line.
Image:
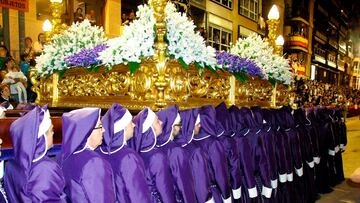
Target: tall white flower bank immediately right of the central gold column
[(185, 44)]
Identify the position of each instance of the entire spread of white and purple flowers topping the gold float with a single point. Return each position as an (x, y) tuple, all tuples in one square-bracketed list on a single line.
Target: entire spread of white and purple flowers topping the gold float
[(86, 45)]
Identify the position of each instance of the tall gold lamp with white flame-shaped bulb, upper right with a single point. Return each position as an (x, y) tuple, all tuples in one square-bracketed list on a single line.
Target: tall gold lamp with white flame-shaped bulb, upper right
[(273, 23)]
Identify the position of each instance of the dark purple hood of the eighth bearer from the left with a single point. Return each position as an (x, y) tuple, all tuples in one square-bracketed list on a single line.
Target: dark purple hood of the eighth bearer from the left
[(224, 119)]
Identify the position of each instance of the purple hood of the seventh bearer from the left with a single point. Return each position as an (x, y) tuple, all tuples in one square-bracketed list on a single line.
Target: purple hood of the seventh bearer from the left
[(207, 122)]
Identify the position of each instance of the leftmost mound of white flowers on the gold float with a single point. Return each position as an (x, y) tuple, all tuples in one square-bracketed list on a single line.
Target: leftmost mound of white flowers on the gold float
[(78, 37)]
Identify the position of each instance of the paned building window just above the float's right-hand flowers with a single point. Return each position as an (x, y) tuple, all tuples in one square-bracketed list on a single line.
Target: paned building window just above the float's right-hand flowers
[(219, 38)]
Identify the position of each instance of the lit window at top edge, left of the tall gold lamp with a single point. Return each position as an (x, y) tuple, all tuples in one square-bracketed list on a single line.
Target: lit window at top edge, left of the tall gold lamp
[(250, 9)]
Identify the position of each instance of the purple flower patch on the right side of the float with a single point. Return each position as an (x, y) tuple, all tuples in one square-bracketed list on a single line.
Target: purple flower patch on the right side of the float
[(235, 64)]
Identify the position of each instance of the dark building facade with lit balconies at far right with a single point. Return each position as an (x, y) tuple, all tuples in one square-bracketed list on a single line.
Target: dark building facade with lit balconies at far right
[(331, 46)]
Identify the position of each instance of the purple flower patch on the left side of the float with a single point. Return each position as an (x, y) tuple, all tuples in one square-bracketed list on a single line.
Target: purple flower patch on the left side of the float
[(86, 57)]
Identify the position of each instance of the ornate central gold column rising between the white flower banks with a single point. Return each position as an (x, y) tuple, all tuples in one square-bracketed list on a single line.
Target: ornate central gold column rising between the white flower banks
[(161, 81)]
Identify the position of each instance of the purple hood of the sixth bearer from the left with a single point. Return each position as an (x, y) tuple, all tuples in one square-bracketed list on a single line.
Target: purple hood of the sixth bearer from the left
[(189, 119)]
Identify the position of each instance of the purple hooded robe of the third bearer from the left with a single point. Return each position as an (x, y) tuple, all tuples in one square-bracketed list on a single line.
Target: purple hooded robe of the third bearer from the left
[(127, 165)]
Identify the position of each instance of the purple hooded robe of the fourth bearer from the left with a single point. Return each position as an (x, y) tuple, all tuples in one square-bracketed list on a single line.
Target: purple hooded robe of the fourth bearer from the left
[(158, 172)]
